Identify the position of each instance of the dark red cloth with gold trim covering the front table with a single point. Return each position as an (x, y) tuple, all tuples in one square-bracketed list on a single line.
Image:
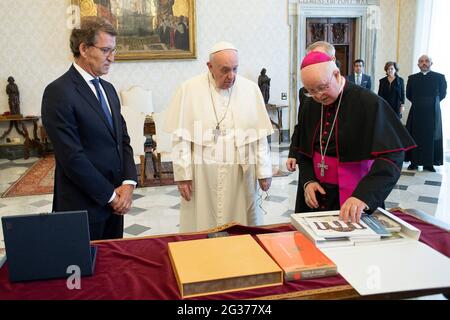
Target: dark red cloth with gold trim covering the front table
[(140, 268)]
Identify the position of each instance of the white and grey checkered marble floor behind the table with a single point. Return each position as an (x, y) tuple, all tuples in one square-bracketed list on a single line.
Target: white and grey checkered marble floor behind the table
[(156, 210)]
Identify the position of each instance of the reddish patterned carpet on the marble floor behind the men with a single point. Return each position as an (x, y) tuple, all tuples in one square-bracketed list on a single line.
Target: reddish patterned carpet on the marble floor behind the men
[(38, 179)]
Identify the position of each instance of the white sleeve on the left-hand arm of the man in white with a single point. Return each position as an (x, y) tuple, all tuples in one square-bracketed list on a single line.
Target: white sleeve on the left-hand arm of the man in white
[(182, 160)]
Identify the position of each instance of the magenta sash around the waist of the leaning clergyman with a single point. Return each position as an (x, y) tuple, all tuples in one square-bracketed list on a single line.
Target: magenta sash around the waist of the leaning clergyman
[(345, 175)]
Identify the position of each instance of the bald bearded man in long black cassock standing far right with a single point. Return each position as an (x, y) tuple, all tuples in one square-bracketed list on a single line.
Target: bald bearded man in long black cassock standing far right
[(425, 90)]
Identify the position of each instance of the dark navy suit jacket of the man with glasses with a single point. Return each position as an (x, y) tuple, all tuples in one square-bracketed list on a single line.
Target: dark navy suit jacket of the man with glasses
[(91, 158)]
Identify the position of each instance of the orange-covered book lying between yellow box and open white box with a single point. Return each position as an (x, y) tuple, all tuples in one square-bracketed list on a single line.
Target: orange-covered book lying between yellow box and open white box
[(297, 255)]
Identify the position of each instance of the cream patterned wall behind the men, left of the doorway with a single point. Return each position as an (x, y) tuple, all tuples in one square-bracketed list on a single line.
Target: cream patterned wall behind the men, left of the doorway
[(34, 48)]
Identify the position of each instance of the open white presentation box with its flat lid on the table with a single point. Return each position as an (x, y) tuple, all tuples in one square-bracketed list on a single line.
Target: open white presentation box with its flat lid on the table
[(394, 263)]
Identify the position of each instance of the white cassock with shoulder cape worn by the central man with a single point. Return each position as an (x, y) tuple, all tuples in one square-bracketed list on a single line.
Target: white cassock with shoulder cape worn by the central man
[(224, 167)]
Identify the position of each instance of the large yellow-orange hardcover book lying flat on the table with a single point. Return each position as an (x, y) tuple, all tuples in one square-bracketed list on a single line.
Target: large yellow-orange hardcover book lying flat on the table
[(223, 264)]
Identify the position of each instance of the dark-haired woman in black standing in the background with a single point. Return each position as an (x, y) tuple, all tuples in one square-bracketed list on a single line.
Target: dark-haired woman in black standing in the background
[(392, 88)]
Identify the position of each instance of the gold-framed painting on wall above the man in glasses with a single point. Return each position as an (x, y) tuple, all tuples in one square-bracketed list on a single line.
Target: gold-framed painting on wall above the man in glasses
[(147, 29)]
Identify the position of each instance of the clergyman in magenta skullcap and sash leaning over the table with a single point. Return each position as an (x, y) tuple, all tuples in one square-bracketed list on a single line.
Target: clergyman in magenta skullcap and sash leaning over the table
[(350, 143)]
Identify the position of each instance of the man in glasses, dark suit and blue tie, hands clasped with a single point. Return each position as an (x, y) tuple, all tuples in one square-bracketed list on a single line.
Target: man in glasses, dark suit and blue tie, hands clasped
[(95, 170)]
